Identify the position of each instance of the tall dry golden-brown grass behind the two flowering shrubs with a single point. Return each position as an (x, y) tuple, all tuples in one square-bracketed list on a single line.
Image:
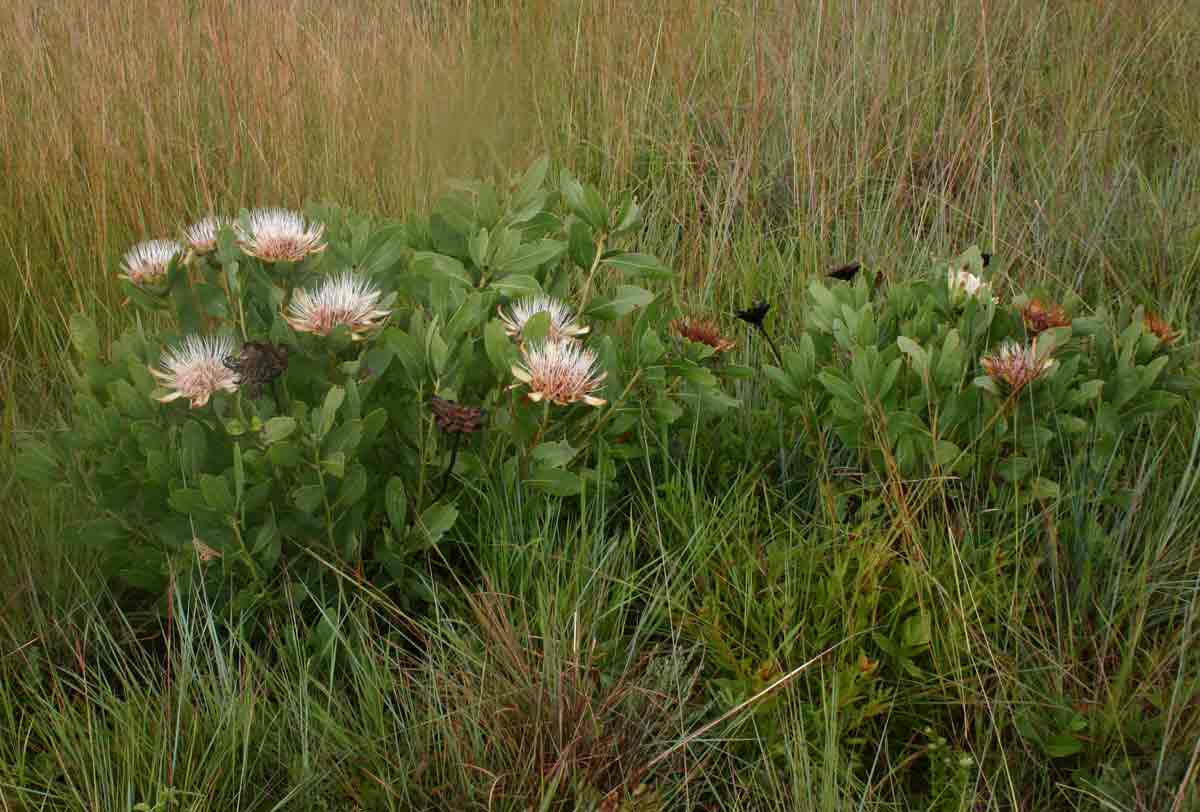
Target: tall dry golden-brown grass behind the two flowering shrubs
[(1064, 139)]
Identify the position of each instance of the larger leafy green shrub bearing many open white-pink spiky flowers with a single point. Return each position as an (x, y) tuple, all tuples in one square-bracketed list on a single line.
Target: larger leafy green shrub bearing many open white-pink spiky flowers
[(309, 396)]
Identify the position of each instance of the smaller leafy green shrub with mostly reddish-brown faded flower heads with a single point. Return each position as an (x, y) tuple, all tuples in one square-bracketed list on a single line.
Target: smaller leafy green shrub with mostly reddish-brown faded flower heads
[(935, 376)]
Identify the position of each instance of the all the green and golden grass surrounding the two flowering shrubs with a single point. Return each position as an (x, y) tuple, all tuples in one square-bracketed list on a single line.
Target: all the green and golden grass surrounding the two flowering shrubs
[(617, 658)]
